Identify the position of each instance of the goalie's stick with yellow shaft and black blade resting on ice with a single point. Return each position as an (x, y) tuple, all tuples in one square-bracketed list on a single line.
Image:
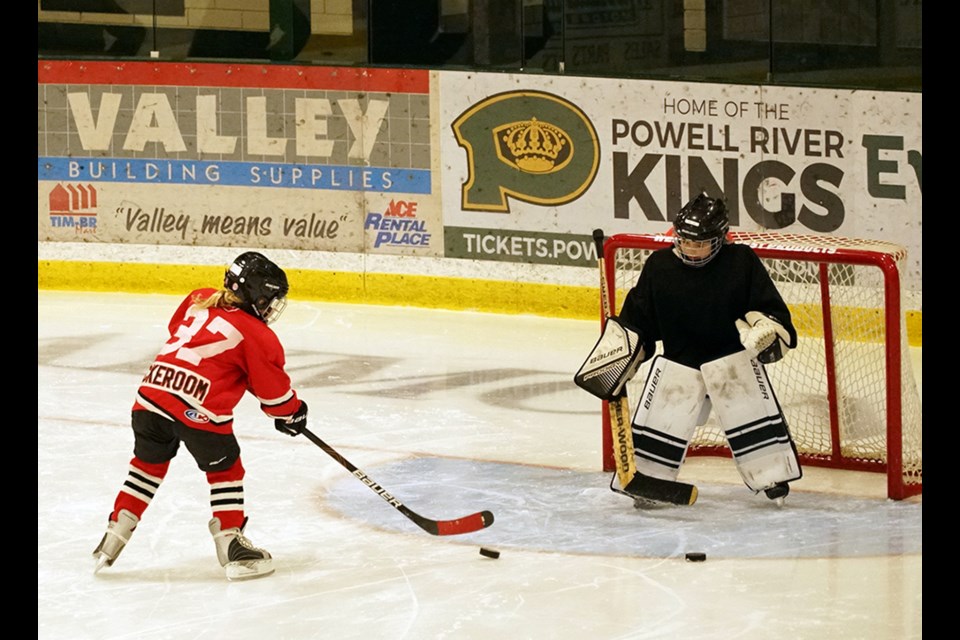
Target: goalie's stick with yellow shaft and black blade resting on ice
[(632, 482)]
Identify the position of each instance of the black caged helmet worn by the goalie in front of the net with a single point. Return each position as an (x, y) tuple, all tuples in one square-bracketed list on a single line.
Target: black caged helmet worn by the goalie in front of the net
[(700, 230)]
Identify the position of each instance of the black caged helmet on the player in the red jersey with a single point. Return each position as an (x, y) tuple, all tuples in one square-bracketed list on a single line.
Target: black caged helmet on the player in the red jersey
[(259, 283)]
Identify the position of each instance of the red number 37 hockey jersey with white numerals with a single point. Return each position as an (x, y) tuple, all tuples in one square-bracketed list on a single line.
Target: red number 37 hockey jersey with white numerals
[(212, 357)]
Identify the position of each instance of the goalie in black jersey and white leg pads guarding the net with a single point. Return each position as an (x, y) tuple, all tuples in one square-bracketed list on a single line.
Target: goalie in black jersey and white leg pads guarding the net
[(720, 319)]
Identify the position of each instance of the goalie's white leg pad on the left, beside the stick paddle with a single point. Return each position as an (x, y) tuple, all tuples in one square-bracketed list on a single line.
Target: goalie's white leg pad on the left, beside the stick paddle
[(669, 410)]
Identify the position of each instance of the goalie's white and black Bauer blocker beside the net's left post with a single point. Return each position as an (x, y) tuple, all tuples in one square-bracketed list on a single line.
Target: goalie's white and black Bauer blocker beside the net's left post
[(613, 361)]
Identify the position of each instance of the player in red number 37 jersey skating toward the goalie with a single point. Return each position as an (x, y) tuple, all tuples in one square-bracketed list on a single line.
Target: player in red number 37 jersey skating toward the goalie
[(220, 347)]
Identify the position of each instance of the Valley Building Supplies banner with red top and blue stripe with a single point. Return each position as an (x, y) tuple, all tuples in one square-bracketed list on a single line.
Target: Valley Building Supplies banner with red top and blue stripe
[(309, 158)]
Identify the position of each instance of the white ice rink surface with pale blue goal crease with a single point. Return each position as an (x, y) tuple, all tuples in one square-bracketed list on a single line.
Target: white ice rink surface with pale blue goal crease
[(453, 413)]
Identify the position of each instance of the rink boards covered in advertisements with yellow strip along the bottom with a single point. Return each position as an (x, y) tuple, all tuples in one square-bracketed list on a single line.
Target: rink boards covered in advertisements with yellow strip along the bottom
[(456, 190)]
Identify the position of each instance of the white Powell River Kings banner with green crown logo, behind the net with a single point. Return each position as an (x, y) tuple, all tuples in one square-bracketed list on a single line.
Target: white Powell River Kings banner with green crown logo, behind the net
[(534, 163)]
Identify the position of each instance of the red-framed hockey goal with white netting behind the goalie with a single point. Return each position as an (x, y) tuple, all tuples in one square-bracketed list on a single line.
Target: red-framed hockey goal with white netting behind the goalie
[(847, 390)]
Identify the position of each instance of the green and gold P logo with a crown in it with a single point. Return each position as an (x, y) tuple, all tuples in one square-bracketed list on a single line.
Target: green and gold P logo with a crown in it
[(529, 145)]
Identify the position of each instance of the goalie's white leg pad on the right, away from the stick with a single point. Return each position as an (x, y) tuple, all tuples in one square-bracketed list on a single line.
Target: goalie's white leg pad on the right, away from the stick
[(752, 420)]
